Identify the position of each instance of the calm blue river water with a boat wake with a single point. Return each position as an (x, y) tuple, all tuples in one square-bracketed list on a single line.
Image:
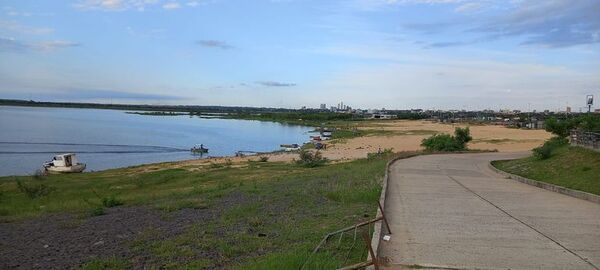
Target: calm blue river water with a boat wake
[(107, 139)]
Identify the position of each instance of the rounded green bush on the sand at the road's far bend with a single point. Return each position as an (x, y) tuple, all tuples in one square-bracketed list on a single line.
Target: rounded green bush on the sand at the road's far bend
[(448, 143)]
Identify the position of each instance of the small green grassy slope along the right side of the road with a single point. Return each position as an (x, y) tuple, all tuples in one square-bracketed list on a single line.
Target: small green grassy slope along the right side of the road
[(572, 167)]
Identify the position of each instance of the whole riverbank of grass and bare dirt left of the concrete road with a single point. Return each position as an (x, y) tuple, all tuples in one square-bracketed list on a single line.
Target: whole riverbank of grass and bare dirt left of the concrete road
[(241, 215)]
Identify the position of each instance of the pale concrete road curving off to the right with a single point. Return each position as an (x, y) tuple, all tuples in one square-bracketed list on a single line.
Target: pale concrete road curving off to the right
[(453, 212)]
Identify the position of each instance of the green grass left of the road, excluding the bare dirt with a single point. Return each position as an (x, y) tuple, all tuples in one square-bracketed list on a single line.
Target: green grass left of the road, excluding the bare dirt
[(298, 205)]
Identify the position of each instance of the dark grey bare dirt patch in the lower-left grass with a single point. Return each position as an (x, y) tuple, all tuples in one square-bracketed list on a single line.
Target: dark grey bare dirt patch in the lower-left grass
[(64, 241)]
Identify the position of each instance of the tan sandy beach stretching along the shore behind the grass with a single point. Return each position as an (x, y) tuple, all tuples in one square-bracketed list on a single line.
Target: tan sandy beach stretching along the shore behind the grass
[(401, 135)]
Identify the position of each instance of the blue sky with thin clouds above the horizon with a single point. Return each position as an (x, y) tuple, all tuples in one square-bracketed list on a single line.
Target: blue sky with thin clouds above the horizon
[(395, 54)]
